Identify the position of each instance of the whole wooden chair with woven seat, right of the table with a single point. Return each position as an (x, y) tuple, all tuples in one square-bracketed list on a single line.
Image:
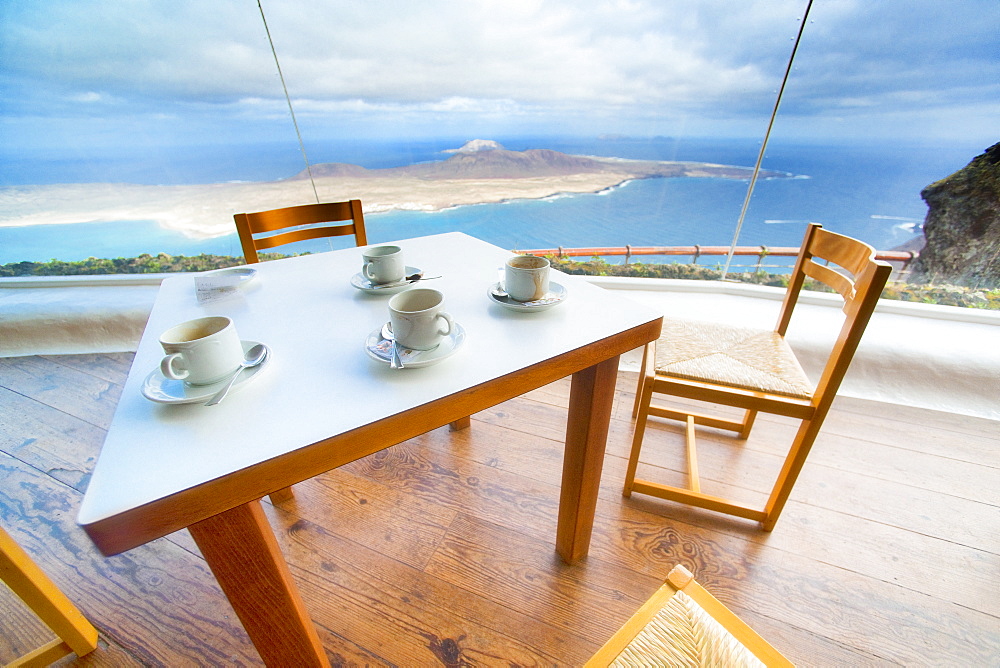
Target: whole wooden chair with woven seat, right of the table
[(755, 371)]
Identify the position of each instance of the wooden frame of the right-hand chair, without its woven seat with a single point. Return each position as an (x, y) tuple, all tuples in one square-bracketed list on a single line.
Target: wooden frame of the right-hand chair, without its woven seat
[(860, 290)]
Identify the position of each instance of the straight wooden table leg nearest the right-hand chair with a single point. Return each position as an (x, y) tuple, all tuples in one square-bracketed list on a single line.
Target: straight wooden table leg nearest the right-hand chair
[(591, 398)]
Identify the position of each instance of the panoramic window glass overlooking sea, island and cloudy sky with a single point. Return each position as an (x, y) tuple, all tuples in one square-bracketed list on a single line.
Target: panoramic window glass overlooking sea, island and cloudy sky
[(142, 127)]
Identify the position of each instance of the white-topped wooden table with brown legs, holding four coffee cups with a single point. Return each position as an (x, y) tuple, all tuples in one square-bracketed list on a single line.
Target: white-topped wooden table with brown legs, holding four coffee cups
[(166, 467)]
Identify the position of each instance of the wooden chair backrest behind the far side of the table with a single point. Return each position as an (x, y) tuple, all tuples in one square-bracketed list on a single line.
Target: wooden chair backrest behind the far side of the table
[(261, 230)]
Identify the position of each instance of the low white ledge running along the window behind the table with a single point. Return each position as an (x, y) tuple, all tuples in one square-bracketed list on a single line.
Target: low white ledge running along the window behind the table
[(925, 355)]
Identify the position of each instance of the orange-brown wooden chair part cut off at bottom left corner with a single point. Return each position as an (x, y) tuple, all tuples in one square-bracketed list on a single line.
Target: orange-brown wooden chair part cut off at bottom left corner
[(39, 593)]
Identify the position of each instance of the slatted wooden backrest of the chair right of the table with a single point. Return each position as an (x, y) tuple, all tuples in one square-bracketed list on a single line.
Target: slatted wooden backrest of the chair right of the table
[(859, 281)]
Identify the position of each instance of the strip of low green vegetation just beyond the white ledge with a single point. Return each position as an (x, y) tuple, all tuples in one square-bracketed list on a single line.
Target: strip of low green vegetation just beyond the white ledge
[(950, 295)]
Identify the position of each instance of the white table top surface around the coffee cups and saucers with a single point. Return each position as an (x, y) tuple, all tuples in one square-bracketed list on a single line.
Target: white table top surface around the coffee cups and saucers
[(320, 381)]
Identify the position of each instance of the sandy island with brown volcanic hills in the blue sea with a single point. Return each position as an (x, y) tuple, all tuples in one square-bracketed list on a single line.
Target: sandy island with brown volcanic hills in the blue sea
[(480, 172)]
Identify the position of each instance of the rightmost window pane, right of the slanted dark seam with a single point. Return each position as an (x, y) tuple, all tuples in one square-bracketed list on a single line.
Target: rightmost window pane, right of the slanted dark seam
[(883, 99)]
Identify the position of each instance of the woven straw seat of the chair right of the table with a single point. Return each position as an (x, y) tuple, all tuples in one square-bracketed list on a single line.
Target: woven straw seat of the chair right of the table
[(751, 359)]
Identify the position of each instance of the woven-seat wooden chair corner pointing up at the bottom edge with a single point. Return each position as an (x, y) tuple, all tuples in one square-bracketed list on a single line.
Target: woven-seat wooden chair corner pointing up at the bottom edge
[(684, 625)]
